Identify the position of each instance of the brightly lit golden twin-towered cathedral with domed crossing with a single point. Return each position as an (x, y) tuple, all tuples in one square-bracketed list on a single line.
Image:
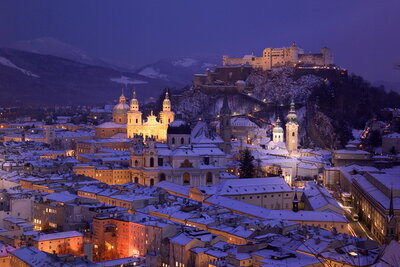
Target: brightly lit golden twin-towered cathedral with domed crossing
[(128, 122)]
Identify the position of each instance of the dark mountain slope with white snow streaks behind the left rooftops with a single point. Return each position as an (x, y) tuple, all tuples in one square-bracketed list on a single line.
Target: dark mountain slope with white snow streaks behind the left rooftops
[(34, 78)]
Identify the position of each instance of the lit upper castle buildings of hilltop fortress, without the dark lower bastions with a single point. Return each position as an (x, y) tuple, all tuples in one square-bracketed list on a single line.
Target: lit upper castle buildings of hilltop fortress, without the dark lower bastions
[(285, 56)]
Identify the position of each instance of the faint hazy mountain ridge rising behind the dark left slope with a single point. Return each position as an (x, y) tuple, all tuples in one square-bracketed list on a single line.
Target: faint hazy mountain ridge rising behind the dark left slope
[(54, 47)]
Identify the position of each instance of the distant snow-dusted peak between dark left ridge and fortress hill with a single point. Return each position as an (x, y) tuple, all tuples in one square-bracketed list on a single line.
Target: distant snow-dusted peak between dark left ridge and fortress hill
[(179, 70)]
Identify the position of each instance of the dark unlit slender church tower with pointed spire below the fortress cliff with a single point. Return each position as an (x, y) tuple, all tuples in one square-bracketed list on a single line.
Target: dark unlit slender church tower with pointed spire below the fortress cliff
[(225, 128)]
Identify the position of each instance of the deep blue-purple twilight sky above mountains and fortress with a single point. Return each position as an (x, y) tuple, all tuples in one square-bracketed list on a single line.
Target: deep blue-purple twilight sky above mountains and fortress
[(363, 34)]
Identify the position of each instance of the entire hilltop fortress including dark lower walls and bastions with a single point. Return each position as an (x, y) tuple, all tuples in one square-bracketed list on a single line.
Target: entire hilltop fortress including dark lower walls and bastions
[(233, 73)]
